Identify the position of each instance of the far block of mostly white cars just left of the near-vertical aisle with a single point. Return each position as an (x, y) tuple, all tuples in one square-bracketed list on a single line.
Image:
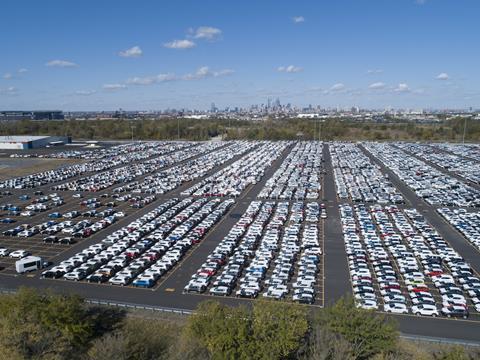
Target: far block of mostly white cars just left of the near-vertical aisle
[(299, 176)]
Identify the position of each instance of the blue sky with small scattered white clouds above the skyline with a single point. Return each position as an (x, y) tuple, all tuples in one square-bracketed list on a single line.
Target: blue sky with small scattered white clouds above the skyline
[(147, 55)]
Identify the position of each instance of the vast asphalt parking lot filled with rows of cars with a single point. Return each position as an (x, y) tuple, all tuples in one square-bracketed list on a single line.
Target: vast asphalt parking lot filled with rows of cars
[(294, 221)]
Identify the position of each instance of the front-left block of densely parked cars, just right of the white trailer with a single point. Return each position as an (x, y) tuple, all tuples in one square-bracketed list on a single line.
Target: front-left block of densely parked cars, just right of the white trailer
[(141, 252)]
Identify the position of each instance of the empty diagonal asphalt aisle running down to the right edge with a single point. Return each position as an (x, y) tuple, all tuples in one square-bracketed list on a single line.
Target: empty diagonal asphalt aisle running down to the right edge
[(460, 244)]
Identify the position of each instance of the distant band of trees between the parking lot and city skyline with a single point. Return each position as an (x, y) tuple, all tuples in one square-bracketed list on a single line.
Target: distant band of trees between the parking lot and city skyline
[(270, 129)]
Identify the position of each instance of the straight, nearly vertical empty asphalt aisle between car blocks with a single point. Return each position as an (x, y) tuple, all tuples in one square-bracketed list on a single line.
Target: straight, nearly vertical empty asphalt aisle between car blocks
[(337, 279)]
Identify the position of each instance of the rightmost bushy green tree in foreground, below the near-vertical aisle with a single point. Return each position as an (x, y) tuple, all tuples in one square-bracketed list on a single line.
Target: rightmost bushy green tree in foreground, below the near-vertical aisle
[(367, 332)]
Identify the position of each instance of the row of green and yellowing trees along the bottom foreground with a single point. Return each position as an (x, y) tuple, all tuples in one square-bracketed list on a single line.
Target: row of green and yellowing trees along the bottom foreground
[(44, 325)]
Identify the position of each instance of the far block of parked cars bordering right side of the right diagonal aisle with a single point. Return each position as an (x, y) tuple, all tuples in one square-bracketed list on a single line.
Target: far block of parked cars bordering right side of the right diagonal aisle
[(435, 187)]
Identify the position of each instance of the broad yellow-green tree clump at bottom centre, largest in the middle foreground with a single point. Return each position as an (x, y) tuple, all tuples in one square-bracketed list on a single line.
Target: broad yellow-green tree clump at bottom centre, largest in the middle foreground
[(272, 330)]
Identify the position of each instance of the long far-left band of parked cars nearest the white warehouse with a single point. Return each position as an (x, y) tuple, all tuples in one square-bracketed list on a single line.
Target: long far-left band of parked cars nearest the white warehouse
[(95, 166)]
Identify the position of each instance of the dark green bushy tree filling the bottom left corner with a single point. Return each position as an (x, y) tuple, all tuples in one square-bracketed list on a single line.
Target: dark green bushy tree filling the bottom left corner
[(39, 325)]
